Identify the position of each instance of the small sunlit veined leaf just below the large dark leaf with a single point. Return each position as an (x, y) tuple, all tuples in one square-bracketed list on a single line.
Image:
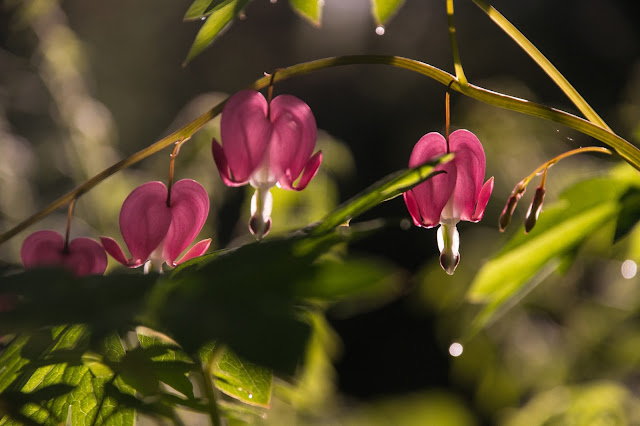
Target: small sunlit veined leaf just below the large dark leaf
[(243, 380)]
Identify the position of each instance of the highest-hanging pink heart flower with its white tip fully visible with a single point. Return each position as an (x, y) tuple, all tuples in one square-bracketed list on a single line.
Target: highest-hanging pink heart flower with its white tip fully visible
[(266, 144)]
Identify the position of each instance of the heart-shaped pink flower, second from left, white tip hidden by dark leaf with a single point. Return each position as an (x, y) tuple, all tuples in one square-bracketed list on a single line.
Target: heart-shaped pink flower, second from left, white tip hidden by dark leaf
[(158, 231)]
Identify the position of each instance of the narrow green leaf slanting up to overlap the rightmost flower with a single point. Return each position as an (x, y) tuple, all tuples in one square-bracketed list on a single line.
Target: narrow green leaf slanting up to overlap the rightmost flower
[(385, 189)]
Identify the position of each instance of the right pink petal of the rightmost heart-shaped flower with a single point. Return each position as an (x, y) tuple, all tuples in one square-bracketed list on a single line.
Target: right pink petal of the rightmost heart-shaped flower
[(470, 165)]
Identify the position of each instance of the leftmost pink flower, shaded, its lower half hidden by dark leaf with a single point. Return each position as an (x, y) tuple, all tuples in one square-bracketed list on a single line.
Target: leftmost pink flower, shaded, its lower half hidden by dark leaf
[(82, 256)]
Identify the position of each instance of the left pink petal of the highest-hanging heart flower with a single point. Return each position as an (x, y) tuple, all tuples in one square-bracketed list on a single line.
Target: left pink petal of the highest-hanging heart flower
[(245, 133)]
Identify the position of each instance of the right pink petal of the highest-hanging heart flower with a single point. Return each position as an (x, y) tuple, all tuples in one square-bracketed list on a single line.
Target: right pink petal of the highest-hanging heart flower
[(294, 136)]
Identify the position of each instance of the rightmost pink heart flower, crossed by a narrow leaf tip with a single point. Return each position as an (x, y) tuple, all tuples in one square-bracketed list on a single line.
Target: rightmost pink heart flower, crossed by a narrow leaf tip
[(449, 197)]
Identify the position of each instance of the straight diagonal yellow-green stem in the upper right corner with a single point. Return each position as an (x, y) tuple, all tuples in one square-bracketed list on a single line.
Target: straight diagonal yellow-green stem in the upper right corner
[(543, 62)]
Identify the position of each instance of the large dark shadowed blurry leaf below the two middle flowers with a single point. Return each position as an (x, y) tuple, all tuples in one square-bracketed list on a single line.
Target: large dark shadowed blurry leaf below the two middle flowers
[(251, 309)]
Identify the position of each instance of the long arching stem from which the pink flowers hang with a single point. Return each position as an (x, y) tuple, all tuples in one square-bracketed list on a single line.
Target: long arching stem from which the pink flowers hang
[(624, 149)]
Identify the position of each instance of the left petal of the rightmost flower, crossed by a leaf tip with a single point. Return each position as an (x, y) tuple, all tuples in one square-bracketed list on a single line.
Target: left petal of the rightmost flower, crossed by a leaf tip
[(432, 195)]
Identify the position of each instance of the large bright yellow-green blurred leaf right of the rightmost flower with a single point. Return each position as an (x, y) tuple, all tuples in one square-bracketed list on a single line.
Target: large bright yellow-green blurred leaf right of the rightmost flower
[(527, 259)]
